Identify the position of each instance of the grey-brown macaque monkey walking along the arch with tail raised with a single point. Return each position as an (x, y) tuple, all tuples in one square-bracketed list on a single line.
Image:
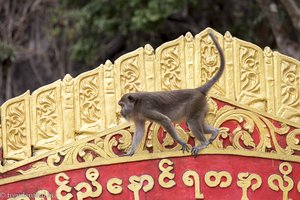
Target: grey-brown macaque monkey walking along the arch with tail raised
[(165, 107)]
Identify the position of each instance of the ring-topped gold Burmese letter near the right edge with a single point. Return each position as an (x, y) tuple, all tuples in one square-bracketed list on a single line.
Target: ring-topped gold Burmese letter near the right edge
[(285, 183)]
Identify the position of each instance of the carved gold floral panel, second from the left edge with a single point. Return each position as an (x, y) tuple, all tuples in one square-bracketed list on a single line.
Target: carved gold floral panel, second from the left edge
[(47, 118)]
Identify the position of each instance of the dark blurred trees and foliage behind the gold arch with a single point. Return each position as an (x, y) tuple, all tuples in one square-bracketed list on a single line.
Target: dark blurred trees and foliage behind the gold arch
[(42, 40)]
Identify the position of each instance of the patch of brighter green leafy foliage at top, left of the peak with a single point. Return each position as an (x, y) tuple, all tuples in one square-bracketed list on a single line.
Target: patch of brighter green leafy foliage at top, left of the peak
[(96, 22)]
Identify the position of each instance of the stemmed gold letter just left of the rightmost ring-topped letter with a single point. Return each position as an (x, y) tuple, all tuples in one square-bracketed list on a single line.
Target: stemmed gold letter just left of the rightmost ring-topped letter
[(245, 181)]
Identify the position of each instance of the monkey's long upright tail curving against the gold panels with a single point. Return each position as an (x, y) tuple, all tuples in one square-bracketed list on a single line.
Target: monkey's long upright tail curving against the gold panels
[(206, 87)]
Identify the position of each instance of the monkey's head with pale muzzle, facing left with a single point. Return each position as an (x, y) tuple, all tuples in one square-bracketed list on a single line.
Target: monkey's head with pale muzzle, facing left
[(127, 103)]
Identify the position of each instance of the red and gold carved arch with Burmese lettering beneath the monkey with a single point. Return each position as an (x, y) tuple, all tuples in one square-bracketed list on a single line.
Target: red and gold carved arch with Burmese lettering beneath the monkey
[(64, 140)]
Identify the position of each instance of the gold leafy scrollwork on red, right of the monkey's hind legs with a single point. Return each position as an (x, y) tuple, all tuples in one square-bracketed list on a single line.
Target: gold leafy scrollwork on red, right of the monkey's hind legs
[(242, 138)]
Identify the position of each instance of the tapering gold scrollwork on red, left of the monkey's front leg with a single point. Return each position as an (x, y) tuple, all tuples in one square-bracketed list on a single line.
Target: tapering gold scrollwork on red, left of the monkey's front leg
[(101, 148)]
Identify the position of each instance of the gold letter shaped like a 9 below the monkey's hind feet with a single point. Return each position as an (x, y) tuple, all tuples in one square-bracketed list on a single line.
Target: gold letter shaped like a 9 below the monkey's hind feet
[(188, 181)]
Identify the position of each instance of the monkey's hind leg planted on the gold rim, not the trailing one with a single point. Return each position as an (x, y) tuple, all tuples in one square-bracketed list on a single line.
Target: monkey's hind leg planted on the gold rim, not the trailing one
[(198, 132)]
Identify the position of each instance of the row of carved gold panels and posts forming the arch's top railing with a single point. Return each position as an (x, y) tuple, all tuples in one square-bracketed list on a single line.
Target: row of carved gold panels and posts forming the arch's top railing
[(73, 108)]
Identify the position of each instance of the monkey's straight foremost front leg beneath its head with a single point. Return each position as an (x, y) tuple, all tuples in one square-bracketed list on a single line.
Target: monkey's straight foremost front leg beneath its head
[(137, 137)]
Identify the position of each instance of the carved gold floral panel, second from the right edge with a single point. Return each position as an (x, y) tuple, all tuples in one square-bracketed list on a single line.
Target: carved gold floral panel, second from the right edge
[(249, 75)]
